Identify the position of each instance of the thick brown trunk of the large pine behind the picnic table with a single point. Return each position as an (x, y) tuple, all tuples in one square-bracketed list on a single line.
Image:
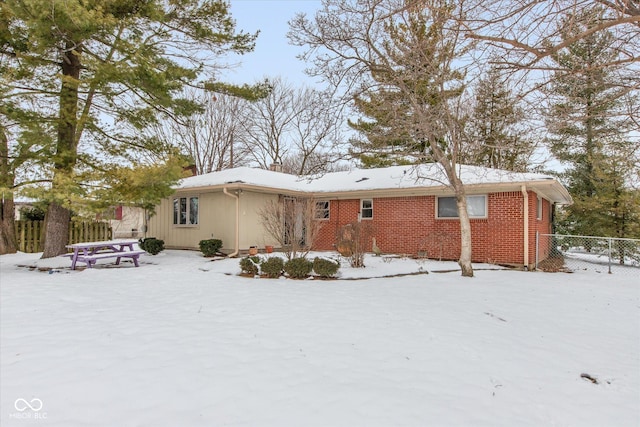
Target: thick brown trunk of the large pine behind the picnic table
[(56, 221)]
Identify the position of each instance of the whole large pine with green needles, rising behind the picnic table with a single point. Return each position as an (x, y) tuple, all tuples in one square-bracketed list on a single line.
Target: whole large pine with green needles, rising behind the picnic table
[(109, 68)]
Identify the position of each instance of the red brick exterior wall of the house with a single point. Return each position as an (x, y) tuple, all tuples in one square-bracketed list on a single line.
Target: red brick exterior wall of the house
[(408, 225)]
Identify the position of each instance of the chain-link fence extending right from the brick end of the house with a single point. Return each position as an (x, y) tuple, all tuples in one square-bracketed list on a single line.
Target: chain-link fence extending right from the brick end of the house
[(558, 252)]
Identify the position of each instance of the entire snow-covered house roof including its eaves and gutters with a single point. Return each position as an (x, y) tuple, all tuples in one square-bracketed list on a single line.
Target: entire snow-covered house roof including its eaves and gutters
[(402, 180)]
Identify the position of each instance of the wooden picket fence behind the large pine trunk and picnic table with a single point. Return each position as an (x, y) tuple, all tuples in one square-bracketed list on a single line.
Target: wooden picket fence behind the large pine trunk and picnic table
[(30, 234)]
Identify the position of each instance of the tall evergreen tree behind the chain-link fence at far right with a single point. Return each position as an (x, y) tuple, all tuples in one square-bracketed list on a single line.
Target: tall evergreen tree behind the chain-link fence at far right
[(587, 137)]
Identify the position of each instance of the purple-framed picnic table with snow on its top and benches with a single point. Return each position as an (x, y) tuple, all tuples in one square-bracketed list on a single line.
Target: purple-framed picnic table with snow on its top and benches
[(90, 252)]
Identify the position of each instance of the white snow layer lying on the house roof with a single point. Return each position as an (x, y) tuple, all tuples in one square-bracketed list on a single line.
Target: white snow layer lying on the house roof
[(394, 177)]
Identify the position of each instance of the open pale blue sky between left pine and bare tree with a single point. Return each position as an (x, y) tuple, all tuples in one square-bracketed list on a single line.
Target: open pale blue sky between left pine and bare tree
[(273, 55)]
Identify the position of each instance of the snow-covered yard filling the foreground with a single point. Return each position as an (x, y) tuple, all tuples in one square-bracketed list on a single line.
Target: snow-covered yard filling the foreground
[(185, 341)]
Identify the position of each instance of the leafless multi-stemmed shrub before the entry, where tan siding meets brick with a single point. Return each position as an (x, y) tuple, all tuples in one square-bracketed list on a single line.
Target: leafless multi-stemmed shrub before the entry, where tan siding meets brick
[(291, 222)]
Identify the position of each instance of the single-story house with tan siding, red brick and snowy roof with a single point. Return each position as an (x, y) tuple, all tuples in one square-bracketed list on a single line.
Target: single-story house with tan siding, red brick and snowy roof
[(409, 210)]
